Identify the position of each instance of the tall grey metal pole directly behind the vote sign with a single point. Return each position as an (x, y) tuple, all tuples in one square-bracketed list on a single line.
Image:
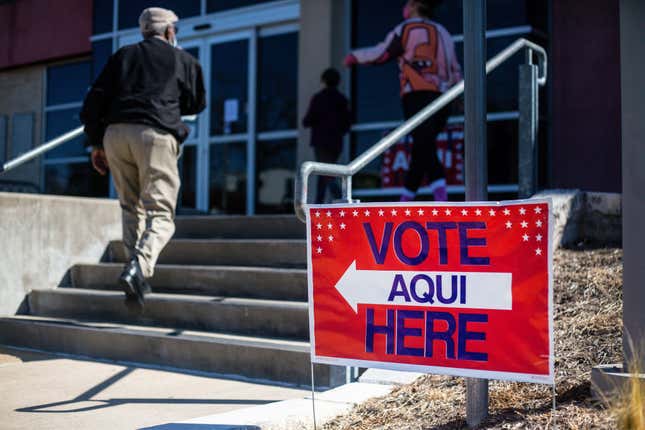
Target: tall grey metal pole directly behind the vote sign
[(476, 155)]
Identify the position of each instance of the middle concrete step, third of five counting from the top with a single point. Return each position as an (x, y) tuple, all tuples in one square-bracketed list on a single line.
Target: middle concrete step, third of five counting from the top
[(229, 281)]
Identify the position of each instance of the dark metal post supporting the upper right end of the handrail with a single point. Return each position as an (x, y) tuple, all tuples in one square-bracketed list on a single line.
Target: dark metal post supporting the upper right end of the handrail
[(527, 130)]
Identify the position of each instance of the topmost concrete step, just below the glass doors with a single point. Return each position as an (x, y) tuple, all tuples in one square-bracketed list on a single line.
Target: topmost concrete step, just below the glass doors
[(240, 227)]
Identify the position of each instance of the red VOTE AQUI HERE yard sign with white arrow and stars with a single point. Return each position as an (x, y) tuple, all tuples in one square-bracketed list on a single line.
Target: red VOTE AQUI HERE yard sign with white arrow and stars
[(461, 289)]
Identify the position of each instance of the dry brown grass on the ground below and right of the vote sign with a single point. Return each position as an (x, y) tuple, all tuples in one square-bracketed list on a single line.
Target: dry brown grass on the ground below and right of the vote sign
[(588, 317)]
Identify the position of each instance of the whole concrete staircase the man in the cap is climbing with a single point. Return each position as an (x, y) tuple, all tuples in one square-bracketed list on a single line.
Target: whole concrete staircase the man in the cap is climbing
[(229, 297)]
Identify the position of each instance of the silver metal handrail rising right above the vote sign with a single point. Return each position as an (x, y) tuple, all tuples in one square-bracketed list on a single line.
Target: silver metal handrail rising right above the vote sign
[(347, 171)]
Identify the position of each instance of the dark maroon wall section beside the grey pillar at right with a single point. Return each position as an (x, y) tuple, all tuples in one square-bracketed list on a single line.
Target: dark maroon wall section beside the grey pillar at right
[(585, 79)]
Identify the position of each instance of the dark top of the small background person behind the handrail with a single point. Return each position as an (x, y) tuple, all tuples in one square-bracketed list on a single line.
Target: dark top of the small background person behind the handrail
[(329, 118)]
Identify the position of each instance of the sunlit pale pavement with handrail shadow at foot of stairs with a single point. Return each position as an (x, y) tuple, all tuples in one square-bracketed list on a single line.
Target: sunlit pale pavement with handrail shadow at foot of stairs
[(50, 392)]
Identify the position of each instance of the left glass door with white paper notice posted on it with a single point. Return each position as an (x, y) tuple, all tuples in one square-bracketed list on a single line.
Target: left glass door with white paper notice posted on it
[(232, 119)]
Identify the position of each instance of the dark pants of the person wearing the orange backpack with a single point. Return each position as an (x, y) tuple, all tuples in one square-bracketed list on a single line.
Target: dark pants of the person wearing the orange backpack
[(424, 160)]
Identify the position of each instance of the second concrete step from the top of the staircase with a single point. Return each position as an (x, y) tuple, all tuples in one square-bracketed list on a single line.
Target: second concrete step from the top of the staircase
[(229, 252)]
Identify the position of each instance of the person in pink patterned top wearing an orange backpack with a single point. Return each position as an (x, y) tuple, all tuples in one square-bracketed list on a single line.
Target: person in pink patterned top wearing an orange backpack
[(428, 67)]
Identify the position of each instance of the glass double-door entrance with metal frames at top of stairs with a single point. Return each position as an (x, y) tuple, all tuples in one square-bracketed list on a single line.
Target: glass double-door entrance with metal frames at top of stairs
[(240, 157)]
